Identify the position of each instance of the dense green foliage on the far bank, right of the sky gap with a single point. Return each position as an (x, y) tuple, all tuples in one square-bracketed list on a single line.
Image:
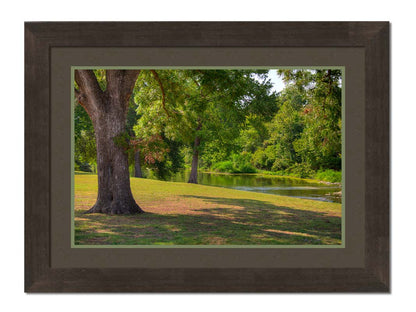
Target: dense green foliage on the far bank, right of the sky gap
[(304, 138)]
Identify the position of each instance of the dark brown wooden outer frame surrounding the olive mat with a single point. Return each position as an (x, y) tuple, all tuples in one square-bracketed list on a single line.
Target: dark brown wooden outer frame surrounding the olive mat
[(40, 37)]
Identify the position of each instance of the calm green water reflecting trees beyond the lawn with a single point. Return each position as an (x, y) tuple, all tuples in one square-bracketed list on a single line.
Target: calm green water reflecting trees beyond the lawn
[(267, 184)]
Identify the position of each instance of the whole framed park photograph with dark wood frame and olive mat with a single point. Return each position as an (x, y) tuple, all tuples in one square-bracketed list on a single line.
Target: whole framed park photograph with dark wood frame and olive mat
[(207, 157)]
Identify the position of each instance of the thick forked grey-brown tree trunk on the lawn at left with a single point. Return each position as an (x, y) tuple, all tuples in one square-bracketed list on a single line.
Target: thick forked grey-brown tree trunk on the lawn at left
[(107, 110)]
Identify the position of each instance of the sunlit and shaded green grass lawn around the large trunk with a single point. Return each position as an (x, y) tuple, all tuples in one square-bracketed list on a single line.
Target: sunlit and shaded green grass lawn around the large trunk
[(190, 214)]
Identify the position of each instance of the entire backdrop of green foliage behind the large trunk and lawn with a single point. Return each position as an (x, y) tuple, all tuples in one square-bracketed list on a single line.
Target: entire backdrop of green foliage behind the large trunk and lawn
[(243, 127)]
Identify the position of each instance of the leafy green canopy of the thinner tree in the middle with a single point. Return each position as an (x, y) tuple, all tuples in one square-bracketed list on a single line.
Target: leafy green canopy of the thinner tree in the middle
[(210, 105)]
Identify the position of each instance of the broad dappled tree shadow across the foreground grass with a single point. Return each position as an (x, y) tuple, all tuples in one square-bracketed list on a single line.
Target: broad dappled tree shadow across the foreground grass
[(230, 222)]
